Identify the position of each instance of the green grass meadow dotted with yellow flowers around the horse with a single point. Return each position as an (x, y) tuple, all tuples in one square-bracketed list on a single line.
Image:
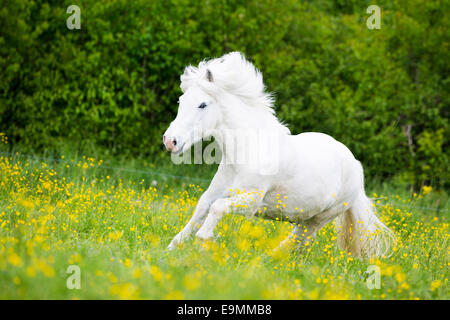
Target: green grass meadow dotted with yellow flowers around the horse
[(115, 224)]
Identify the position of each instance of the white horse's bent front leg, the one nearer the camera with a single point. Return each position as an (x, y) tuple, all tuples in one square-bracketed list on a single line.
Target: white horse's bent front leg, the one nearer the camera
[(247, 203)]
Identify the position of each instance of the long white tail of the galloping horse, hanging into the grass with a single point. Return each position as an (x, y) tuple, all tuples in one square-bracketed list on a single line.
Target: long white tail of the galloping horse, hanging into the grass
[(362, 233)]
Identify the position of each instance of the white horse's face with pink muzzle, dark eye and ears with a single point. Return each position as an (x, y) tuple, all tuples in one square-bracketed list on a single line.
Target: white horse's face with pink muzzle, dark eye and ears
[(198, 116)]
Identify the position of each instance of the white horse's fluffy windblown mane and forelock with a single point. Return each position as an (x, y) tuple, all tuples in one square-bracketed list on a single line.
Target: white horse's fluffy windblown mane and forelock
[(233, 74)]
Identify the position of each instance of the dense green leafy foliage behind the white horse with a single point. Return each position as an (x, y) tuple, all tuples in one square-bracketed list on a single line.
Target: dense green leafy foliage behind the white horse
[(114, 83)]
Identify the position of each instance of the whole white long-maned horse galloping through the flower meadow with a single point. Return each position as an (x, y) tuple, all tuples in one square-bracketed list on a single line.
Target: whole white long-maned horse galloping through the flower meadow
[(308, 179)]
